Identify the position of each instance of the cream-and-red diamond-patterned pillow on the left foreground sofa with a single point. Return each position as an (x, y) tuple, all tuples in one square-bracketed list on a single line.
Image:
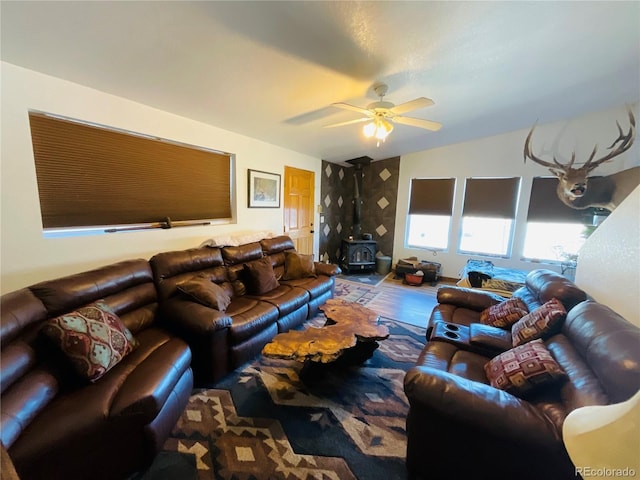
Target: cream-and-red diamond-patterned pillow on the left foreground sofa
[(93, 338)]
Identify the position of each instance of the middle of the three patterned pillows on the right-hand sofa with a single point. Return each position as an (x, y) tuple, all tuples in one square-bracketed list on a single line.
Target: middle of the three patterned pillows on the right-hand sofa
[(543, 322)]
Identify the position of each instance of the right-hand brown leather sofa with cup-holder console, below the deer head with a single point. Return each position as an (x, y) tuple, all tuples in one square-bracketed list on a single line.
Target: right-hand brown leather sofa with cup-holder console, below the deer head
[(459, 426)]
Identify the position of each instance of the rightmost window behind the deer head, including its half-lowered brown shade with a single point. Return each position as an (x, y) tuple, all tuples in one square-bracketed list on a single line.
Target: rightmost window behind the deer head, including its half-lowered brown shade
[(555, 232)]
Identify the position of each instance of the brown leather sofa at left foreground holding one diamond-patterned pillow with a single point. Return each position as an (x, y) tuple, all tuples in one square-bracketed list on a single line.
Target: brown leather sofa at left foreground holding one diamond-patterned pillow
[(56, 424)]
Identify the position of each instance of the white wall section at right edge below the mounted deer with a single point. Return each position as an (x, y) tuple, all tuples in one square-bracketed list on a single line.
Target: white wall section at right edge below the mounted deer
[(609, 267)]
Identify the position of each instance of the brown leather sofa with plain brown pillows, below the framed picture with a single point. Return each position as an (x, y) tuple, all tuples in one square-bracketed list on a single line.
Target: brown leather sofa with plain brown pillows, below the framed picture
[(222, 341)]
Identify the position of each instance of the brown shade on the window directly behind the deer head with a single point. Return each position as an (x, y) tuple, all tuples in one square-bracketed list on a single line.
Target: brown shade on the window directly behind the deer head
[(545, 206)]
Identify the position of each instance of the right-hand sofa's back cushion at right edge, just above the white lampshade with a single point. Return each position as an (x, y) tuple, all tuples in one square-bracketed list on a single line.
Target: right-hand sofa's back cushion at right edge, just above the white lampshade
[(608, 344)]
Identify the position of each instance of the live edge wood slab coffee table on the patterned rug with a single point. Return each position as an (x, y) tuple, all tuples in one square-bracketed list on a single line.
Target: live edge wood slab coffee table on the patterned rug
[(351, 334)]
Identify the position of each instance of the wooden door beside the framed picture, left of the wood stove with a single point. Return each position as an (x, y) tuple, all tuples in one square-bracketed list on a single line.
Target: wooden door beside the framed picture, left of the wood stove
[(298, 207)]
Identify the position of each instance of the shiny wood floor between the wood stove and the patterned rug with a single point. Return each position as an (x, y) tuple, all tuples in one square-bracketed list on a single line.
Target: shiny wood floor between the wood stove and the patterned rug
[(403, 302)]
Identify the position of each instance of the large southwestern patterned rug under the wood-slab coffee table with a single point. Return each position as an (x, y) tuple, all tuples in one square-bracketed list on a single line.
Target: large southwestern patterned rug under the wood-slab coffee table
[(269, 420)]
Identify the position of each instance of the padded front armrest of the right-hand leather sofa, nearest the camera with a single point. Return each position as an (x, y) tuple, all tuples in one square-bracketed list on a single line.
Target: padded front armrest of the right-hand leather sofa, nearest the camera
[(478, 406)]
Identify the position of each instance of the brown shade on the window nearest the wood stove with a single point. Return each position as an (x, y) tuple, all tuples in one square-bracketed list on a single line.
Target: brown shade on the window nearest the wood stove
[(431, 196)]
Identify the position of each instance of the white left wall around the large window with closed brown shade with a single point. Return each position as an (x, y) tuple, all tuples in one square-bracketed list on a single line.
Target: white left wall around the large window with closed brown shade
[(26, 257)]
